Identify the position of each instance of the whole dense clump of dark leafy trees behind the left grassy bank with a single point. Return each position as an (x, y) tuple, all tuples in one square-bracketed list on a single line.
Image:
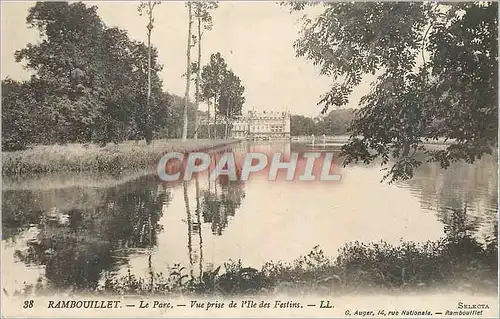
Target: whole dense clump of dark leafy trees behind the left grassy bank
[(89, 82)]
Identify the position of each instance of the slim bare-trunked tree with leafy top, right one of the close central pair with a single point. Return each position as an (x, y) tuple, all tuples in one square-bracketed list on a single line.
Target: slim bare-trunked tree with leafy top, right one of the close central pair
[(204, 21)]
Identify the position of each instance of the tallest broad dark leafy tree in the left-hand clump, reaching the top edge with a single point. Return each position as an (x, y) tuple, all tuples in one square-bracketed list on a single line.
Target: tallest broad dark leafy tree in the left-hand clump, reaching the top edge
[(65, 66)]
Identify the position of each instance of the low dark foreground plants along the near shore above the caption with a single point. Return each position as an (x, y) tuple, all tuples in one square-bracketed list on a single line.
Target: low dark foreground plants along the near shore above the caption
[(458, 261)]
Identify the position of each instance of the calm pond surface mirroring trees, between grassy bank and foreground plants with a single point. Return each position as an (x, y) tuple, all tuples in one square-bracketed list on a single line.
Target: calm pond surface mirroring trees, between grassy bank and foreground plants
[(83, 233)]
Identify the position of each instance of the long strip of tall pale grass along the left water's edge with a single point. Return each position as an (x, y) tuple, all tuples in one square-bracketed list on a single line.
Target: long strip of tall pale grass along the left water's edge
[(92, 158)]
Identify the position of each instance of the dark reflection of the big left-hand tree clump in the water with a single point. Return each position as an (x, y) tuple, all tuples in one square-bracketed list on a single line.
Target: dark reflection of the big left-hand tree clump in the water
[(76, 246)]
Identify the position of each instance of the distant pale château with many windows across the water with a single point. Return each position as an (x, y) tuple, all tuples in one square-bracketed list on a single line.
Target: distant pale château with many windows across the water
[(259, 125)]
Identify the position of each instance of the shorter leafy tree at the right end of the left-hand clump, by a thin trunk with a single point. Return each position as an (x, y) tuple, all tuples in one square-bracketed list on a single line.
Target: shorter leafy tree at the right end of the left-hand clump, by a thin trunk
[(126, 115)]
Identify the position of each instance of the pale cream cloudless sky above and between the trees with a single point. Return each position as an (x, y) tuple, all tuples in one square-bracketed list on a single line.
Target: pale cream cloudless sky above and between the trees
[(255, 38)]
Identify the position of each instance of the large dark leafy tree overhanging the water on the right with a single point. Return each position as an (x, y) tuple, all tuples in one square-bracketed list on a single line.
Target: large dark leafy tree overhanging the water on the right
[(437, 77)]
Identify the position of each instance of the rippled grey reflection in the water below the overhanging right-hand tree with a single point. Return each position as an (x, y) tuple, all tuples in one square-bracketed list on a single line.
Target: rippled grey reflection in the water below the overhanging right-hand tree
[(462, 187)]
